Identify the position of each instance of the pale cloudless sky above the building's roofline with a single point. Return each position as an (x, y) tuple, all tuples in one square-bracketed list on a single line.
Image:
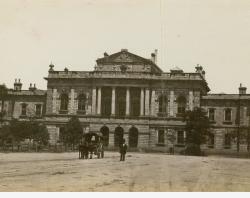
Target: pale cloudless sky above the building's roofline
[(74, 33)]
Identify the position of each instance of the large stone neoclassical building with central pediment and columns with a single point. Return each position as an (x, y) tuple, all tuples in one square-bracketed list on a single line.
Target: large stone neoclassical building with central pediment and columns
[(128, 96)]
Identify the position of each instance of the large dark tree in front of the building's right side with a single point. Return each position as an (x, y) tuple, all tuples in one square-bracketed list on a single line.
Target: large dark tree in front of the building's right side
[(197, 129)]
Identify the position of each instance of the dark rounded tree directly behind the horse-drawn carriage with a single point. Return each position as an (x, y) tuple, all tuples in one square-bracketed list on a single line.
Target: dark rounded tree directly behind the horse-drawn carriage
[(73, 132)]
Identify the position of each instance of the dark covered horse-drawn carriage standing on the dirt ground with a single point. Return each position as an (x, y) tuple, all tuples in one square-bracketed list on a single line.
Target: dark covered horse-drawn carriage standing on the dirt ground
[(91, 144)]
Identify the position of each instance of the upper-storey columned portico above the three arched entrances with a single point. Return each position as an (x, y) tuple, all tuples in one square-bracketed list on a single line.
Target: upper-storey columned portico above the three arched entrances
[(119, 101)]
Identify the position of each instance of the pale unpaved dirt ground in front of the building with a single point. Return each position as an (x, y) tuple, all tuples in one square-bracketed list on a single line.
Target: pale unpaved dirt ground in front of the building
[(140, 172)]
